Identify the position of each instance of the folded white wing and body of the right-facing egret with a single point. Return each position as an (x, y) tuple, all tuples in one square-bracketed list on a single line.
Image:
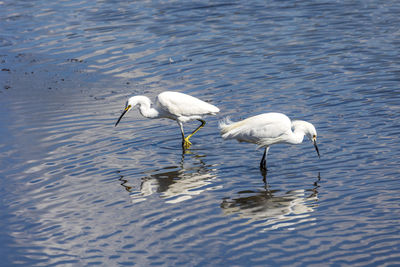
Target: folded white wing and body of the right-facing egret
[(258, 129)]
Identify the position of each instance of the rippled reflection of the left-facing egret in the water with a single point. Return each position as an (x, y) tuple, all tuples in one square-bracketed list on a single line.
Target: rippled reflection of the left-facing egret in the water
[(174, 183)]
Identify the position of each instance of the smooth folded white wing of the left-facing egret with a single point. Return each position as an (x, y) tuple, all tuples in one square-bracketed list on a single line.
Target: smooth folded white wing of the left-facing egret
[(180, 104)]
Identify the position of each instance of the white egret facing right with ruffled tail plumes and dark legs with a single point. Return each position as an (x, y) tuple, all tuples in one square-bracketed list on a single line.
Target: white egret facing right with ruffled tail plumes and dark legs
[(268, 129)]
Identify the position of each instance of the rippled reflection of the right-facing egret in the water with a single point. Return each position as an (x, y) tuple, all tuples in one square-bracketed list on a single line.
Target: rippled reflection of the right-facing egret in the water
[(272, 209)]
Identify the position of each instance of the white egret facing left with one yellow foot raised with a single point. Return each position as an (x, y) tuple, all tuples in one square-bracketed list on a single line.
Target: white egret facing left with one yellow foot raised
[(175, 106)]
